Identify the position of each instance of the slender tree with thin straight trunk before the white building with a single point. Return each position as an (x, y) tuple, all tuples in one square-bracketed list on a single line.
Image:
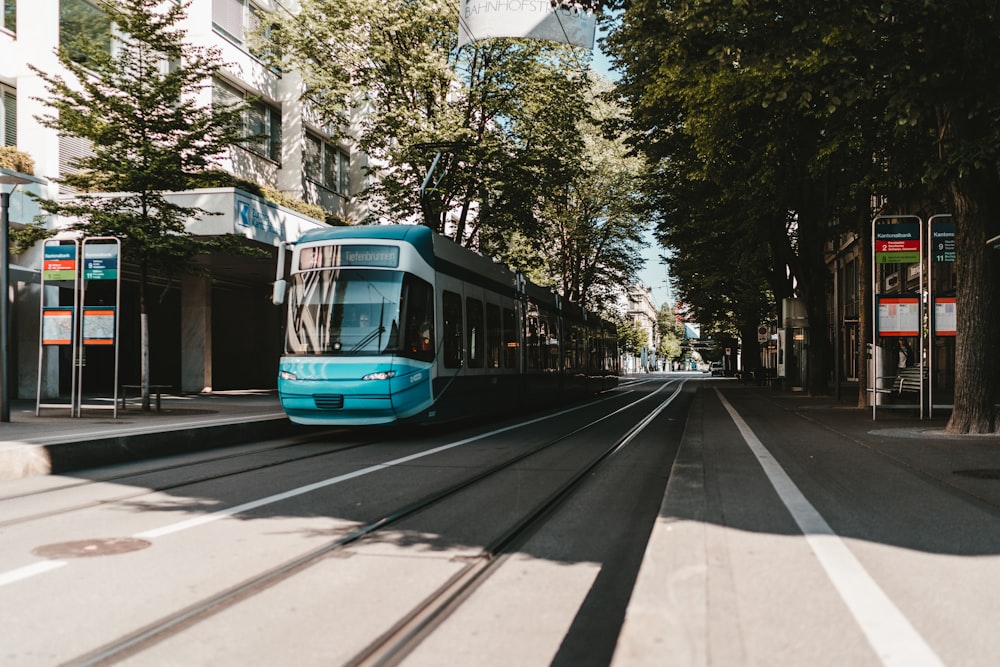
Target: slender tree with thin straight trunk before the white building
[(136, 104)]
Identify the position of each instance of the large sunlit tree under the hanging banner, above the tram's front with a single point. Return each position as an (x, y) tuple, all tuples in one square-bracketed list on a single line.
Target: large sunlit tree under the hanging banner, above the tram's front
[(471, 113)]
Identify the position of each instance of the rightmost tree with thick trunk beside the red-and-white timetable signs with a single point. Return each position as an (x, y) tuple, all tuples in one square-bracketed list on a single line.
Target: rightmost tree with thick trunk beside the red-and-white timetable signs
[(939, 69)]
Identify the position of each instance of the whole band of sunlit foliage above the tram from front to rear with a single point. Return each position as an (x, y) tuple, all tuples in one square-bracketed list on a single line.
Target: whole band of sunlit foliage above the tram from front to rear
[(506, 124)]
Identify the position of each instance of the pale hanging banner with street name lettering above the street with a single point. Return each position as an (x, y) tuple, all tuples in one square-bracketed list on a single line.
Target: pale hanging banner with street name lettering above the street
[(533, 19)]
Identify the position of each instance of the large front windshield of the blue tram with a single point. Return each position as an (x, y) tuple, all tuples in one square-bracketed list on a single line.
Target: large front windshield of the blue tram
[(360, 312)]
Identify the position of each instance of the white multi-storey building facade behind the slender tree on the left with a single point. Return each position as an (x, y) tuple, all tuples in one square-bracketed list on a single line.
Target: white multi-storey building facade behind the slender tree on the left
[(209, 332)]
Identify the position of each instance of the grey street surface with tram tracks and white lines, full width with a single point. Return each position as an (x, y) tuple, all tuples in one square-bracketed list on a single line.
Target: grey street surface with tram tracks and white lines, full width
[(703, 523)]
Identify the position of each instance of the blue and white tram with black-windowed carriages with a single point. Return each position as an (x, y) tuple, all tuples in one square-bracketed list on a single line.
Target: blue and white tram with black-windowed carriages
[(389, 323)]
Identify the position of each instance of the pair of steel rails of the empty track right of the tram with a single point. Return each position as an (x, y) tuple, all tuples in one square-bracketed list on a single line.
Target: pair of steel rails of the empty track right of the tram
[(407, 633)]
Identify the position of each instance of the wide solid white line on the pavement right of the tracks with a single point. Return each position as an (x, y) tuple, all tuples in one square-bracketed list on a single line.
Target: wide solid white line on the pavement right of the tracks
[(894, 639)]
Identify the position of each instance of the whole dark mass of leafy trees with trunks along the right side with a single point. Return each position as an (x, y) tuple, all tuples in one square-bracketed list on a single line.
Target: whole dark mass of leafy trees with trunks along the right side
[(782, 120)]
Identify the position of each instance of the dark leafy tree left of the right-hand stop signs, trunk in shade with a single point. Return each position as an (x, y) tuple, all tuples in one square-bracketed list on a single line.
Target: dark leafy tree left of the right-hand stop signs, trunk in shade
[(746, 95)]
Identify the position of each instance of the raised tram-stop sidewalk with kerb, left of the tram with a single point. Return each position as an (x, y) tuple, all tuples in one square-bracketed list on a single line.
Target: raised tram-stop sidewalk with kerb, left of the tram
[(56, 442)]
